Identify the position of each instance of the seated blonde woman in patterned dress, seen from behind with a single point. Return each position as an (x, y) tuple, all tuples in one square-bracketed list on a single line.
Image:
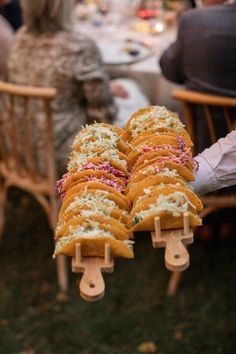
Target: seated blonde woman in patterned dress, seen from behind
[(47, 53)]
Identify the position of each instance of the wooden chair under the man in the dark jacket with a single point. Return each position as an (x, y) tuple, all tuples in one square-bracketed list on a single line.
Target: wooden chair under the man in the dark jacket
[(189, 100)]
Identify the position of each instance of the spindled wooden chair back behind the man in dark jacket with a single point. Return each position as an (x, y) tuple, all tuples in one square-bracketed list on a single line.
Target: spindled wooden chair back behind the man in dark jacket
[(208, 104)]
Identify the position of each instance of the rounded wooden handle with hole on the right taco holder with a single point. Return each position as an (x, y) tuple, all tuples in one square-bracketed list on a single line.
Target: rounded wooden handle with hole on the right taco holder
[(176, 255)]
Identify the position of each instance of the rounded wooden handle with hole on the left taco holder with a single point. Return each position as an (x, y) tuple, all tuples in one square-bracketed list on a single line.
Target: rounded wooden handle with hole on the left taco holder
[(92, 286)]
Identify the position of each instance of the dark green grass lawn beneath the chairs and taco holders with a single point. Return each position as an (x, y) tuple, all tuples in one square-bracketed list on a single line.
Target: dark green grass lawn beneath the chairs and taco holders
[(35, 319)]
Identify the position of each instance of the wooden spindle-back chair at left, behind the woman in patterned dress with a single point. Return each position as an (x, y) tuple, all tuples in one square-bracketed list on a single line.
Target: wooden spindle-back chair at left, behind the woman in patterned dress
[(19, 153)]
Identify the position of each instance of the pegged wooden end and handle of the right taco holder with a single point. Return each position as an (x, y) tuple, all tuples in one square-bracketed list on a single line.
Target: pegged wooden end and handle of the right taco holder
[(174, 241)]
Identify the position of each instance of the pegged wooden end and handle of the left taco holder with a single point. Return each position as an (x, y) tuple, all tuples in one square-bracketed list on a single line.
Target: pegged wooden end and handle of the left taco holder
[(92, 286)]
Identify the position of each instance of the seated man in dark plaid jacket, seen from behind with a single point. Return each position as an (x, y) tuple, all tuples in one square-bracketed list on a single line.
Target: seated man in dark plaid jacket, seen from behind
[(203, 57)]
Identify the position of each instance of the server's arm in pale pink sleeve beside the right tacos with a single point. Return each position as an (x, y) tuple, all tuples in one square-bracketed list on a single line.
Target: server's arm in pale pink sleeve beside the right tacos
[(217, 166)]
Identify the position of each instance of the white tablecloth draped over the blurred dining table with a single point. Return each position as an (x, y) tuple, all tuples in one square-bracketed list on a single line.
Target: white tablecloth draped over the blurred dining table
[(147, 71)]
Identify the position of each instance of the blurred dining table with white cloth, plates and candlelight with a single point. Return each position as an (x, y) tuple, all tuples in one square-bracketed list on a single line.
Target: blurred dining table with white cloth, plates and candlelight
[(129, 51)]
